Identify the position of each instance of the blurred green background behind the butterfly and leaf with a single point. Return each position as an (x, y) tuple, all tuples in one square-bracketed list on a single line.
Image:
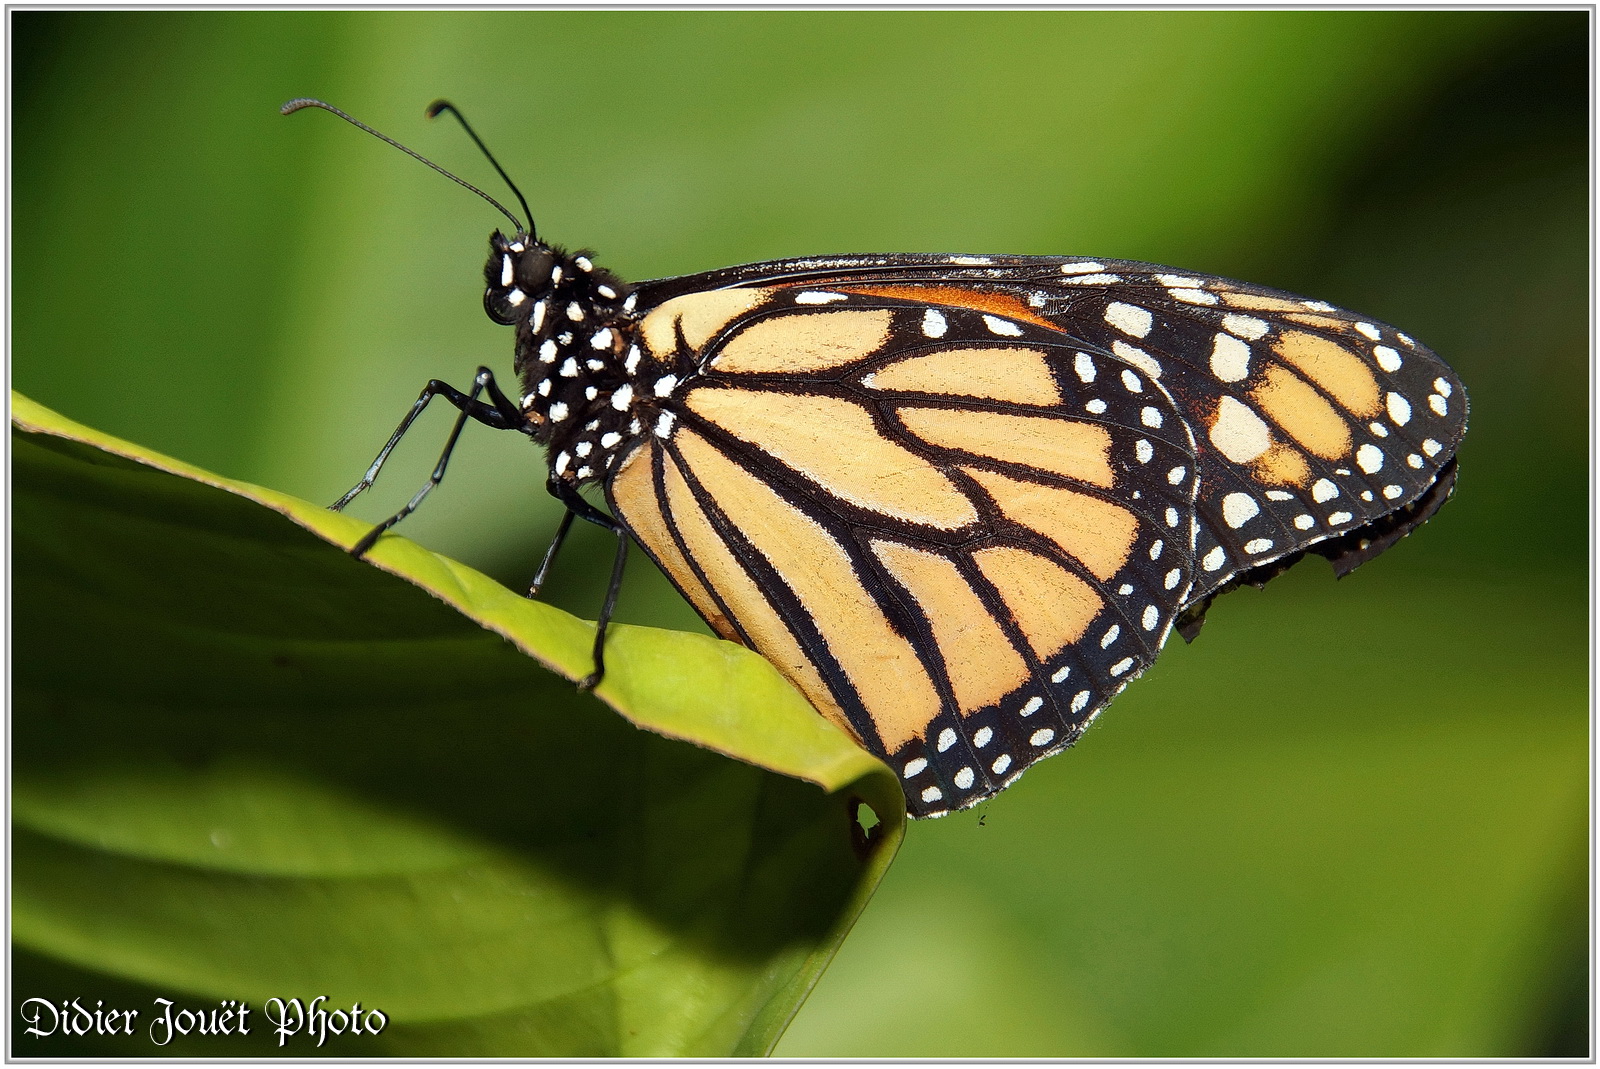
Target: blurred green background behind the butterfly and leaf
[(1353, 820)]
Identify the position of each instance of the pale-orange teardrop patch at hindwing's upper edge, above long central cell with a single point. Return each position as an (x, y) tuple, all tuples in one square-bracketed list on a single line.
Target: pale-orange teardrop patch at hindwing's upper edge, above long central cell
[(804, 342)]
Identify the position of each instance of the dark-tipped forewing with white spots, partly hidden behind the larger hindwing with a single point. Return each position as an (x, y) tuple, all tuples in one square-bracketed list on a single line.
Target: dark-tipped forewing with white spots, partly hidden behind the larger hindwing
[(1316, 428)]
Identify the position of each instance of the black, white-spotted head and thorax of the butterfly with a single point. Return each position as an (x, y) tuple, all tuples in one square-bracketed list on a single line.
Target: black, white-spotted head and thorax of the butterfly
[(578, 354)]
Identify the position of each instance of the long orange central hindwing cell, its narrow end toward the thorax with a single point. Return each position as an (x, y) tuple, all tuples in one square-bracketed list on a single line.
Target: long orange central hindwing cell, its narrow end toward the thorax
[(834, 444)]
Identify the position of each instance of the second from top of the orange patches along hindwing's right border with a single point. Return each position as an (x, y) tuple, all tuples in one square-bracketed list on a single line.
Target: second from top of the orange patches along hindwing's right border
[(1066, 447)]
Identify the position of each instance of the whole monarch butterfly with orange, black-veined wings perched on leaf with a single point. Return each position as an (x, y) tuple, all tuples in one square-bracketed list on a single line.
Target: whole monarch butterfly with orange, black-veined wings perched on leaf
[(961, 502)]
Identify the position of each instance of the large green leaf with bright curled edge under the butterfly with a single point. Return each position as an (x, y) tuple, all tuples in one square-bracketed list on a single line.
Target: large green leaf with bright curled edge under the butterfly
[(247, 766)]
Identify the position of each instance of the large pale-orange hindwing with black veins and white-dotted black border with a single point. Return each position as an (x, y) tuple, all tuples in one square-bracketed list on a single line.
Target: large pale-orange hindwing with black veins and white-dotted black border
[(958, 534)]
